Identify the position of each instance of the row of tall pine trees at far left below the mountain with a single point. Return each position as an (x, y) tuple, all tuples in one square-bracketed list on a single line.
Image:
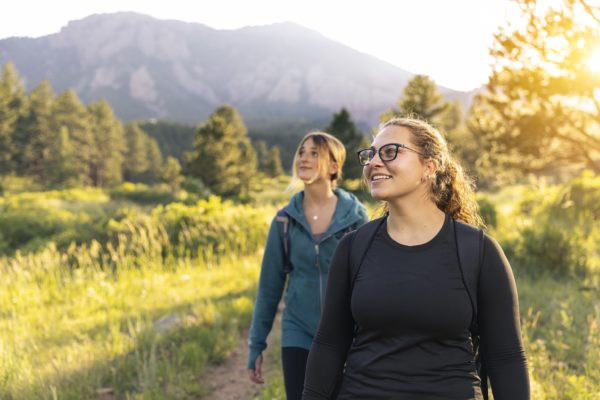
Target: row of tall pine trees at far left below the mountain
[(62, 143)]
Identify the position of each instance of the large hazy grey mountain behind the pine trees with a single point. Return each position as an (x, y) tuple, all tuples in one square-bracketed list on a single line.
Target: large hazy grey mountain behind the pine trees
[(164, 69)]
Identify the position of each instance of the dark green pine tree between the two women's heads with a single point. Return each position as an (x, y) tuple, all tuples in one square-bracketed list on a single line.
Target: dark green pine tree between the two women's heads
[(343, 128)]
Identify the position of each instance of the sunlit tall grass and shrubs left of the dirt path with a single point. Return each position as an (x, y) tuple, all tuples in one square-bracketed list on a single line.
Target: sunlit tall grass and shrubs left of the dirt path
[(140, 316)]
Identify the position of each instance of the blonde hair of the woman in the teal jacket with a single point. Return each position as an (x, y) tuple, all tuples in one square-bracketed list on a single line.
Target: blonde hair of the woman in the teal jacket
[(329, 148)]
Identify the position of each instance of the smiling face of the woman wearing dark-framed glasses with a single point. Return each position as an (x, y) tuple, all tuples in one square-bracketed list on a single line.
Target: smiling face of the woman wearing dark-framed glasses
[(404, 176)]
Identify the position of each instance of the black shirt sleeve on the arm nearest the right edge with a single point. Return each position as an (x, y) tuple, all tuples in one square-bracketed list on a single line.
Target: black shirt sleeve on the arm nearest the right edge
[(501, 343)]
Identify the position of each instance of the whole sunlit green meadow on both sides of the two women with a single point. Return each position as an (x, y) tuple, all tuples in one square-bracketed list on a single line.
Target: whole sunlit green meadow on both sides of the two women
[(134, 292)]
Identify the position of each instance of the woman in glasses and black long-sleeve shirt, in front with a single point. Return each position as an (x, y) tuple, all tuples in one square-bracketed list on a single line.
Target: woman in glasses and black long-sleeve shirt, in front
[(401, 327)]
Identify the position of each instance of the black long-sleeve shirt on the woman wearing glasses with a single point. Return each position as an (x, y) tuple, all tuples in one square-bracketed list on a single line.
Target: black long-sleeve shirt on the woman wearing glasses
[(402, 332)]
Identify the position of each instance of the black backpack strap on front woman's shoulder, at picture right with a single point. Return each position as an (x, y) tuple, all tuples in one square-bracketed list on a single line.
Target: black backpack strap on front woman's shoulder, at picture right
[(469, 247)]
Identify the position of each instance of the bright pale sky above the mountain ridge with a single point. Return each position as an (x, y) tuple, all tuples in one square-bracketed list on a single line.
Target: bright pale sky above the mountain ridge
[(448, 40)]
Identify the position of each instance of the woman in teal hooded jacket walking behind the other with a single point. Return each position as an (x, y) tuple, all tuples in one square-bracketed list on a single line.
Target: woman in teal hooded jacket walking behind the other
[(317, 218)]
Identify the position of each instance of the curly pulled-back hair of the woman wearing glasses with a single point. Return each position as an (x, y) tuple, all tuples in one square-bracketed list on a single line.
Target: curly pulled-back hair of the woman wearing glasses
[(451, 189)]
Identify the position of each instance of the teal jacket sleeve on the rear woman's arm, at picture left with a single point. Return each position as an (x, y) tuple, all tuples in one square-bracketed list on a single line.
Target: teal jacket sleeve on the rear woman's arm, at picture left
[(270, 288)]
